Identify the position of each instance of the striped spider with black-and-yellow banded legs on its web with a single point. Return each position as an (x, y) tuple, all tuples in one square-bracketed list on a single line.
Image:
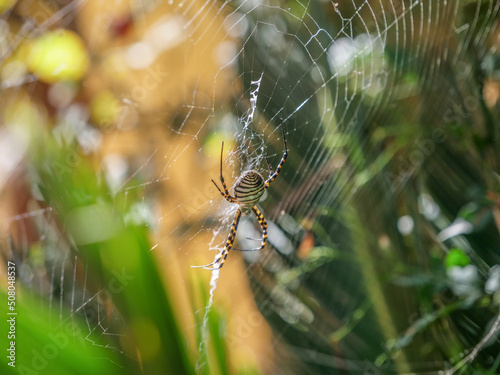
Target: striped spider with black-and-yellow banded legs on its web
[(248, 190)]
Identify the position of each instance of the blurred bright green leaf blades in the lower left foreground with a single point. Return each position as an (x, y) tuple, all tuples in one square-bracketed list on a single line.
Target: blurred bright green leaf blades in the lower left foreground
[(121, 279)]
